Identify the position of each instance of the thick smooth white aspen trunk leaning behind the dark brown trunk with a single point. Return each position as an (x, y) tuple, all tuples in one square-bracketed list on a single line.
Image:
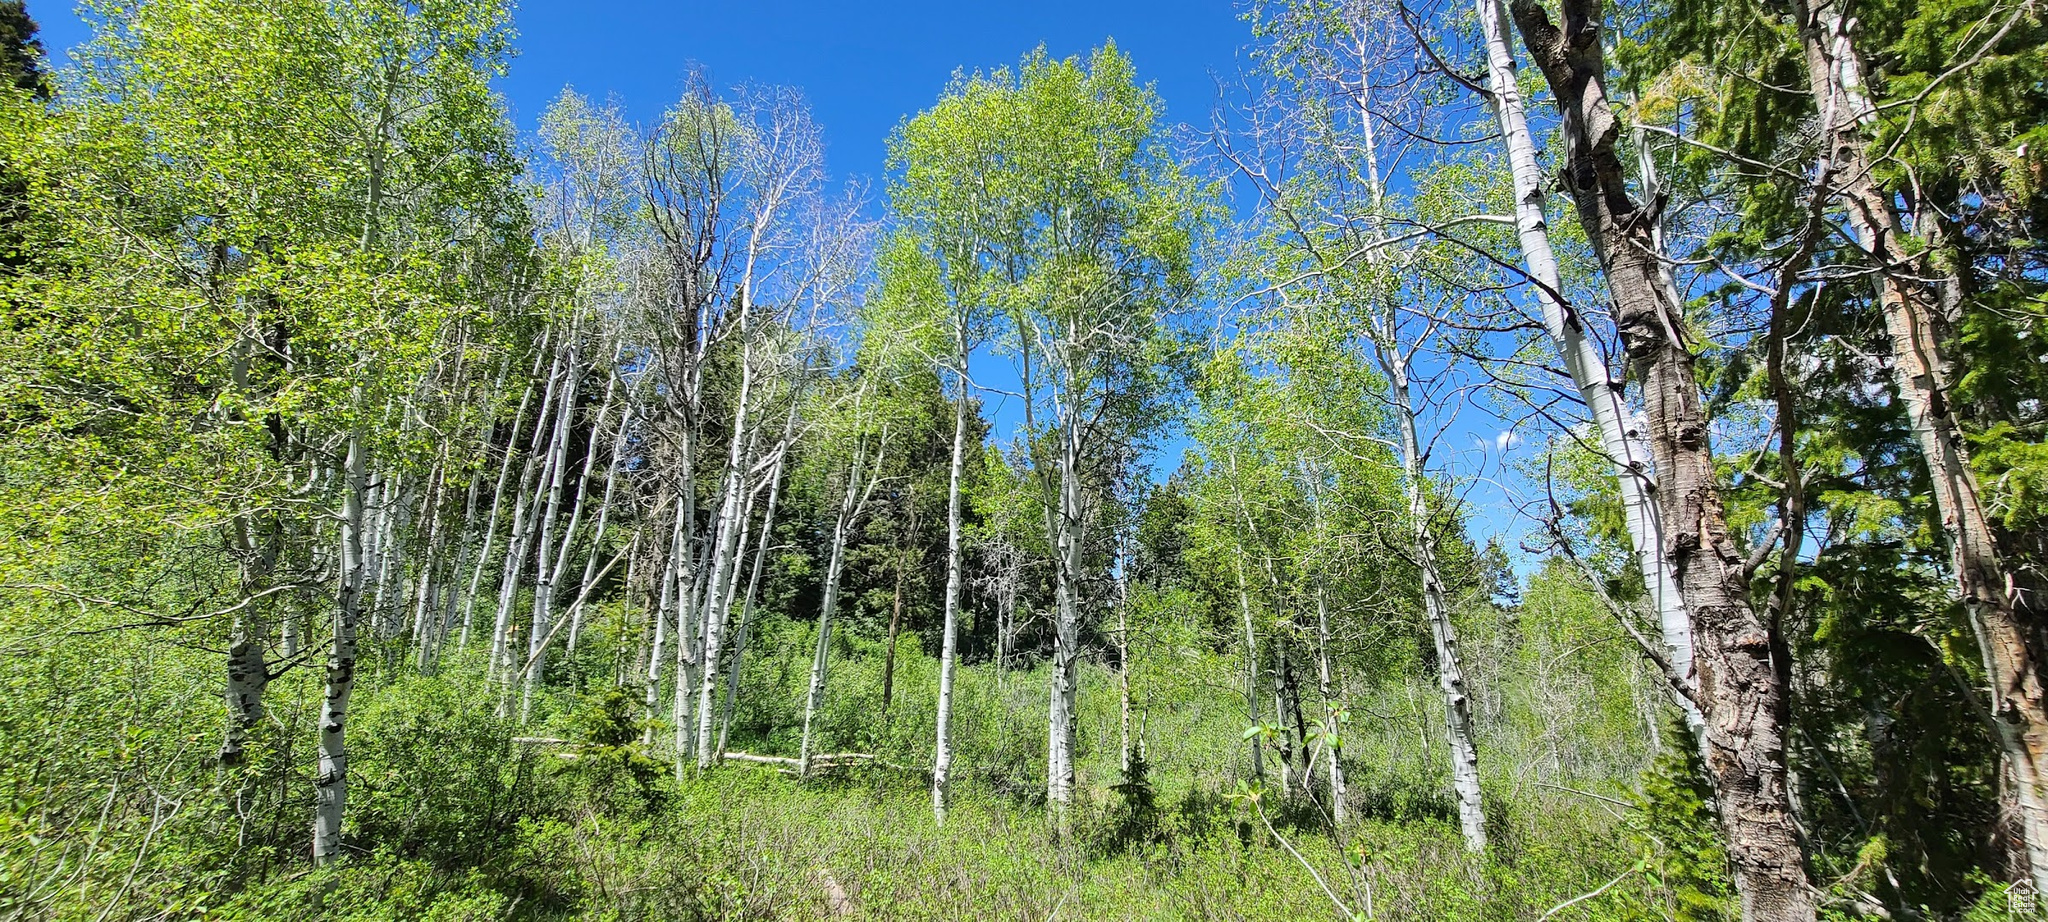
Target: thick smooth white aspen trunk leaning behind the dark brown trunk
[(1619, 429)]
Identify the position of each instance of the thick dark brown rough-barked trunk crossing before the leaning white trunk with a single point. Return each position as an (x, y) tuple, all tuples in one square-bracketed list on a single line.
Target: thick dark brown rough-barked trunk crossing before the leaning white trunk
[(1740, 687)]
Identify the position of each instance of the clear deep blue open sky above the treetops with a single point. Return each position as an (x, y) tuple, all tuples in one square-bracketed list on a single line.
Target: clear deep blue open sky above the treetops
[(863, 65)]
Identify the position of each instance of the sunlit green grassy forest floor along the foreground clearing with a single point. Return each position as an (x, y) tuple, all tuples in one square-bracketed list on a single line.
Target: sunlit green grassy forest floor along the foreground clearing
[(751, 843)]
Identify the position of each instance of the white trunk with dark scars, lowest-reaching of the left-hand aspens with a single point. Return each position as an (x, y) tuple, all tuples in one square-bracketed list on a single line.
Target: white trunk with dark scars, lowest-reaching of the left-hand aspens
[(331, 782)]
